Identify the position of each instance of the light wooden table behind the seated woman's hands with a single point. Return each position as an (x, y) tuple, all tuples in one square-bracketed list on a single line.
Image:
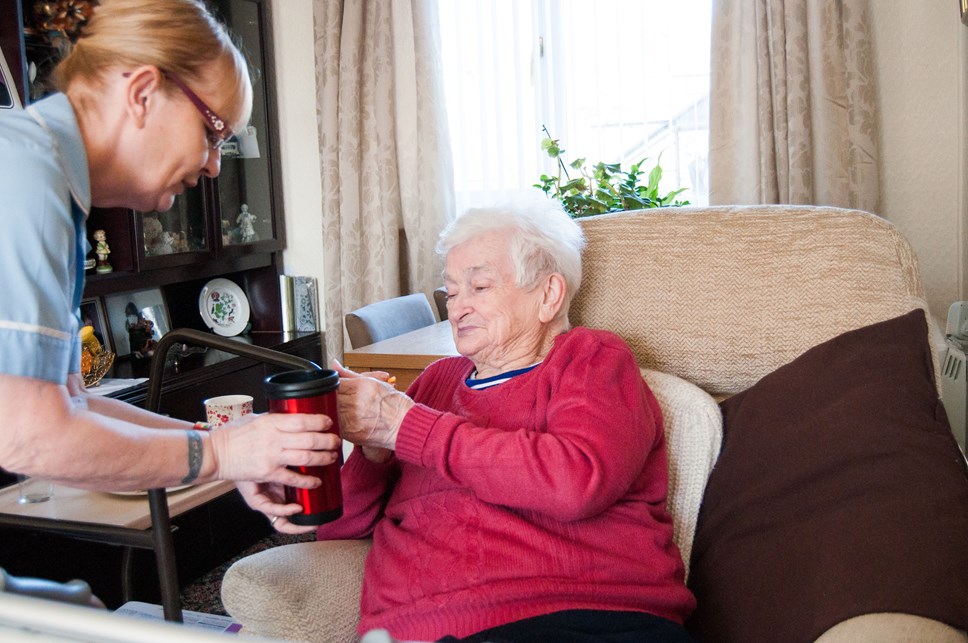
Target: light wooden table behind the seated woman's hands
[(404, 356)]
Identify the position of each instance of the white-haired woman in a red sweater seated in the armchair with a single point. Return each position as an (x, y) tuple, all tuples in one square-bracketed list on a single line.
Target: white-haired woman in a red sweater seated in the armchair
[(517, 492)]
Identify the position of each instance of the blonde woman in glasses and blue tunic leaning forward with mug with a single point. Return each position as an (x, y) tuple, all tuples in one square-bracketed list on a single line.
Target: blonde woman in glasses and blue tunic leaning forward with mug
[(148, 95)]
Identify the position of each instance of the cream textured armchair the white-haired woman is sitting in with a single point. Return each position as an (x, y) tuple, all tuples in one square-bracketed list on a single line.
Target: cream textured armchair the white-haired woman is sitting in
[(711, 300)]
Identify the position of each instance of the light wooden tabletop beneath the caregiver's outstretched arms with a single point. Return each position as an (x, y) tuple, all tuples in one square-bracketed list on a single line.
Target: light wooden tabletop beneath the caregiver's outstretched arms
[(104, 508)]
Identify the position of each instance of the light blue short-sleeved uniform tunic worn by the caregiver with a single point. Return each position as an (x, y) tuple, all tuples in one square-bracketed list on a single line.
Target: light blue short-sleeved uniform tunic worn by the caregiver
[(45, 196)]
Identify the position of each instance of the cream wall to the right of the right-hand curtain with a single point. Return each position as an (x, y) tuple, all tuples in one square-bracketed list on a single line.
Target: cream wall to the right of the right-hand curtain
[(921, 63)]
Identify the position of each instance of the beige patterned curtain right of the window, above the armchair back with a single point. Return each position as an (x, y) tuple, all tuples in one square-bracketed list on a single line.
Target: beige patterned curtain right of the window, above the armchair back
[(793, 104)]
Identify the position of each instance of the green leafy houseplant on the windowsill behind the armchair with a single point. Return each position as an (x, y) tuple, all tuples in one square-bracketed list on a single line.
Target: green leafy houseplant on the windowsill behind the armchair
[(603, 187)]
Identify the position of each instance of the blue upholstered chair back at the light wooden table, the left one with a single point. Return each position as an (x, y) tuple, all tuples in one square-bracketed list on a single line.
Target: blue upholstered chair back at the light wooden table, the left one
[(388, 318)]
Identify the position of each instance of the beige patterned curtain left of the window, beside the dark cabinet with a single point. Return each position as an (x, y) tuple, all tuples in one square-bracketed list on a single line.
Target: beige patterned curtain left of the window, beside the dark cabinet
[(387, 178)]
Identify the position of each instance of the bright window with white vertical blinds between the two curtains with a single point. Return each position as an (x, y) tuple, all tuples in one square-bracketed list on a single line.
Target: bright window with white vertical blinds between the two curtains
[(612, 80)]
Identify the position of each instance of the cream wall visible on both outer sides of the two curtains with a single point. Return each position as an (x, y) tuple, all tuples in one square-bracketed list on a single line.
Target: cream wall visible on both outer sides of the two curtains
[(920, 48)]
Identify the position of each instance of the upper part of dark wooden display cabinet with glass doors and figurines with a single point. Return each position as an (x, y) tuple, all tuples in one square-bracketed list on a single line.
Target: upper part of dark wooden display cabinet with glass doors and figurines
[(230, 226)]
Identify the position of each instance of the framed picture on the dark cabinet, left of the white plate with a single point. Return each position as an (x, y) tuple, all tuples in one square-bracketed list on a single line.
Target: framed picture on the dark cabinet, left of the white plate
[(148, 304)]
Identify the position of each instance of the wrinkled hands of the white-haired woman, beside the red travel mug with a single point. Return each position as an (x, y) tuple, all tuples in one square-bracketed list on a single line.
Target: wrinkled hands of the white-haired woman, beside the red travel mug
[(370, 411)]
